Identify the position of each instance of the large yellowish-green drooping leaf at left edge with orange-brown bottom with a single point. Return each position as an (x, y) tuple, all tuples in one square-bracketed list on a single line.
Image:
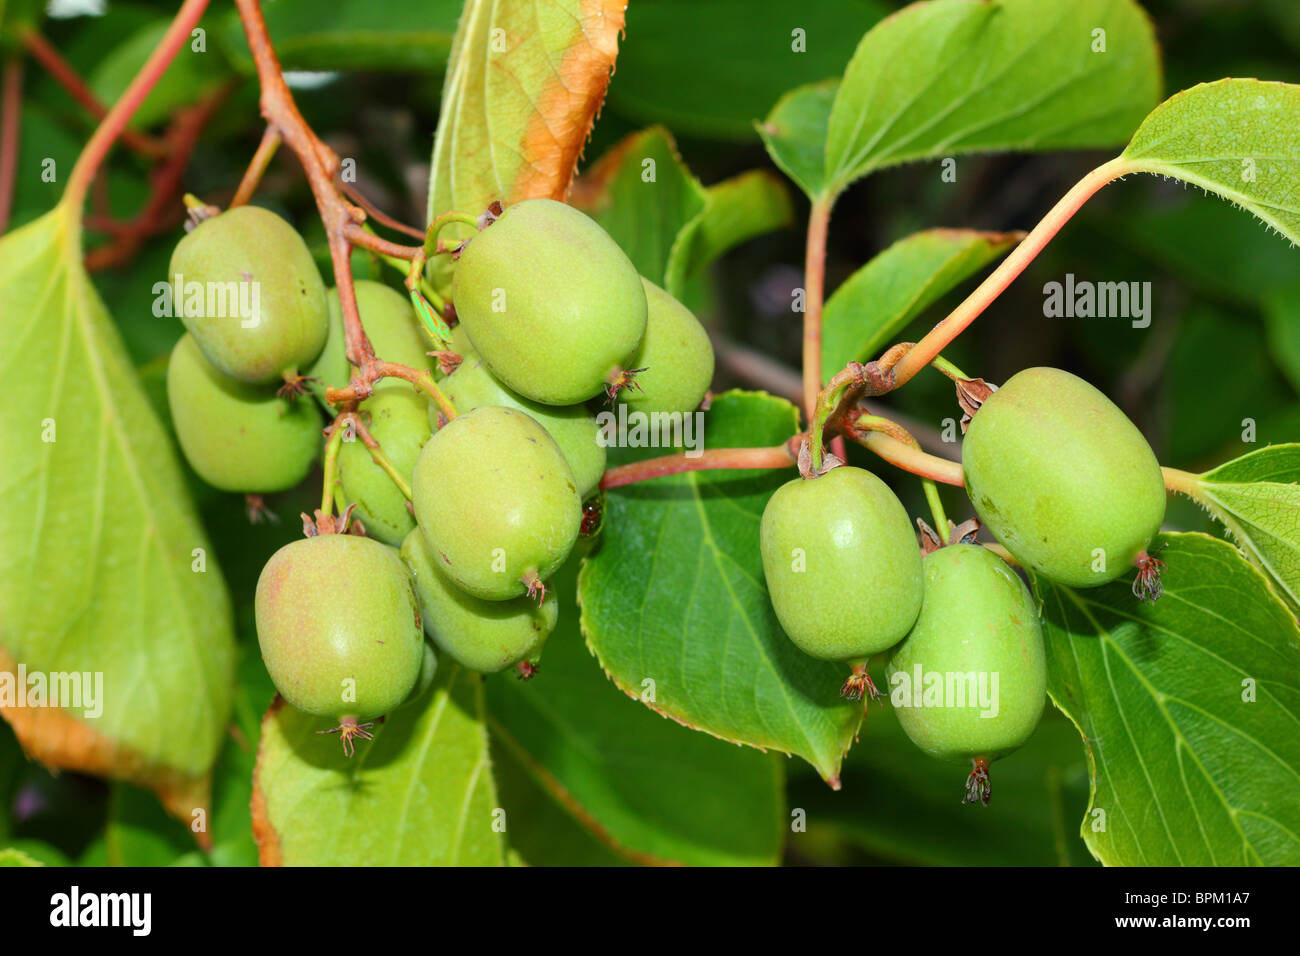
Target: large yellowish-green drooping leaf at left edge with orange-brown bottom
[(103, 565)]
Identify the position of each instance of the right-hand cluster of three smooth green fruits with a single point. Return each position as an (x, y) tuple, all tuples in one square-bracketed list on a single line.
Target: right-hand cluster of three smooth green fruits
[(1064, 481)]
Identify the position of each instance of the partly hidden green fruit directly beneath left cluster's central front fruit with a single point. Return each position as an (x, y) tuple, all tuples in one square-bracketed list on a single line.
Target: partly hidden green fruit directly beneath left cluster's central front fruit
[(486, 637)]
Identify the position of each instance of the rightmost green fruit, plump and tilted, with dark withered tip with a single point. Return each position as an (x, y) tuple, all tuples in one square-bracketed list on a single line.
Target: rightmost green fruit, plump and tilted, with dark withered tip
[(1063, 479)]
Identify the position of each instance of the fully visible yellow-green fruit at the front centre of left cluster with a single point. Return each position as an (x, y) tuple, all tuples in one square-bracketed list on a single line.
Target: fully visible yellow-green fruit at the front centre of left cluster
[(497, 503)]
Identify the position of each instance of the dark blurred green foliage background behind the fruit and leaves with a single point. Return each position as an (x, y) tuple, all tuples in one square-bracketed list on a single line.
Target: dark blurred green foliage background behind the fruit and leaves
[(1223, 349)]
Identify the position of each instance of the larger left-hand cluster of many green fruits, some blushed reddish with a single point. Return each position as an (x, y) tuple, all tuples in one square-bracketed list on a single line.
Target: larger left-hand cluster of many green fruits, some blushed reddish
[(462, 522)]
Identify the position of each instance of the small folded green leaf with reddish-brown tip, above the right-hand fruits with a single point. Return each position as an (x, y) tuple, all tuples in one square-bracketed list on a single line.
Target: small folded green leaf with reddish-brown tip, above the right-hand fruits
[(896, 287)]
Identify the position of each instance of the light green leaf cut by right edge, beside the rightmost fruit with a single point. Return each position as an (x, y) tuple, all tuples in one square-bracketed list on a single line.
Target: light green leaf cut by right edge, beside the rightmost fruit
[(1258, 498)]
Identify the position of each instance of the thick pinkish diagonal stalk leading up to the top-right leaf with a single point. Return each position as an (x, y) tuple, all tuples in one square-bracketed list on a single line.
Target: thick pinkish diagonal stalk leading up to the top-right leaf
[(938, 339)]
